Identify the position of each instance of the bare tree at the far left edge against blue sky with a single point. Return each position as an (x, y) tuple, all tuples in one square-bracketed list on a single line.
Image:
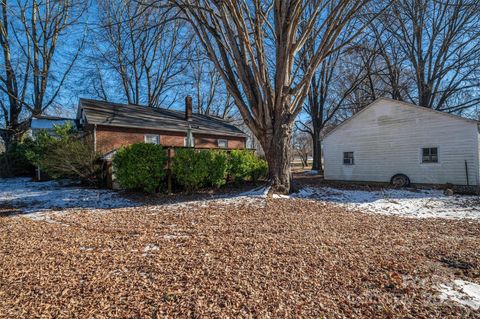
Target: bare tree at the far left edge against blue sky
[(32, 74)]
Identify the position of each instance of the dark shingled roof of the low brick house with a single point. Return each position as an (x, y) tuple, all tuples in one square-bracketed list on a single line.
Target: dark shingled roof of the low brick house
[(136, 116)]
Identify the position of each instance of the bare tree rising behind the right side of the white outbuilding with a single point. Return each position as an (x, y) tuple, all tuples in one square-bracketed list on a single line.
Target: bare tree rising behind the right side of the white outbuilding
[(440, 40)]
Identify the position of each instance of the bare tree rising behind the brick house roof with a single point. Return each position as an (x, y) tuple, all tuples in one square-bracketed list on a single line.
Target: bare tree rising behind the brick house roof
[(144, 47)]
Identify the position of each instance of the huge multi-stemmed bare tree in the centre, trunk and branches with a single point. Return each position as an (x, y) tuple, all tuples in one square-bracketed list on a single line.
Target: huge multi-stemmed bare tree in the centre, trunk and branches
[(256, 47)]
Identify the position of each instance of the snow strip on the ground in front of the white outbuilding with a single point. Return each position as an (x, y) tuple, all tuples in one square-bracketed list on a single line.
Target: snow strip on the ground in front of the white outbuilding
[(409, 203)]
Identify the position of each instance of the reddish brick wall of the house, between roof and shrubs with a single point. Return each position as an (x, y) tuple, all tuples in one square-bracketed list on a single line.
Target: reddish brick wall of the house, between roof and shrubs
[(109, 138)]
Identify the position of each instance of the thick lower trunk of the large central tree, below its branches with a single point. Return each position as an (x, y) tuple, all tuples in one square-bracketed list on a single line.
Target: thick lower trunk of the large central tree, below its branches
[(278, 153)]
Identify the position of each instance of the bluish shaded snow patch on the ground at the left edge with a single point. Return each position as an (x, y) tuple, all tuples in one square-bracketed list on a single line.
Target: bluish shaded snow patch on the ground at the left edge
[(37, 197)]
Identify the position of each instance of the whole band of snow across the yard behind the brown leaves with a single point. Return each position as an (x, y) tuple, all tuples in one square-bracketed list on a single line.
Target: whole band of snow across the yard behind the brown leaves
[(41, 197)]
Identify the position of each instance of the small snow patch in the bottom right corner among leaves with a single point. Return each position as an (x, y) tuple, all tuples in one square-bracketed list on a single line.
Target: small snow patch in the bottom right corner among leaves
[(463, 292)]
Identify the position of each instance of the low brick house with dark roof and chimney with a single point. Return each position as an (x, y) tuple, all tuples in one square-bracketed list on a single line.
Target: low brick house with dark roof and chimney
[(112, 125)]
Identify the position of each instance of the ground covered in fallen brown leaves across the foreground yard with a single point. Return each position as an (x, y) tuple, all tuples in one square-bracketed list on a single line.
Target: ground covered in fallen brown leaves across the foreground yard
[(232, 259)]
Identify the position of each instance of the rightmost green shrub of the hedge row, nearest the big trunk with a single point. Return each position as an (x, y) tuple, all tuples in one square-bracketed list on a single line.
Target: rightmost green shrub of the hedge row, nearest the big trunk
[(244, 165)]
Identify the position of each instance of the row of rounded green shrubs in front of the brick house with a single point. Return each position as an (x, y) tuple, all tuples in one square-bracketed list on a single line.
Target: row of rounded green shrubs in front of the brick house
[(142, 166)]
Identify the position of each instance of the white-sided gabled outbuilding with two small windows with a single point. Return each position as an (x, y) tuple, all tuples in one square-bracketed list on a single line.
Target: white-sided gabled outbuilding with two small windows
[(388, 138)]
